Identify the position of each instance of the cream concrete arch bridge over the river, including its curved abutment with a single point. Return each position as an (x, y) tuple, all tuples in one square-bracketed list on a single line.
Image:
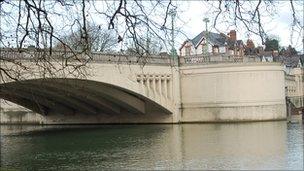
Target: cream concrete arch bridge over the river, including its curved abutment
[(118, 89)]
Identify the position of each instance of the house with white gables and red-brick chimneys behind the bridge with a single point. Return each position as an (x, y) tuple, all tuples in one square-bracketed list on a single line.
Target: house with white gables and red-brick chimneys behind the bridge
[(209, 43)]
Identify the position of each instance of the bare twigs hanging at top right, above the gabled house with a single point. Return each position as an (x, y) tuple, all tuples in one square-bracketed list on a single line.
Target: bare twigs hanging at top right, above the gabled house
[(254, 15)]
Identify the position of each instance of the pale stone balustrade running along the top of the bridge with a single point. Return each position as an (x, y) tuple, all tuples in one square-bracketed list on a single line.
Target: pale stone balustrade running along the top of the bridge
[(32, 54)]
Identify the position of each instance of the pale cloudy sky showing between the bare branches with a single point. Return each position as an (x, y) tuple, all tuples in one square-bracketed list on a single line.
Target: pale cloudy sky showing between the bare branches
[(190, 15)]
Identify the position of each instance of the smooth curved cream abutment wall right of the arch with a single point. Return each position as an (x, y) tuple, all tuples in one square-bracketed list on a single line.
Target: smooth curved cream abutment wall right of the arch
[(233, 92)]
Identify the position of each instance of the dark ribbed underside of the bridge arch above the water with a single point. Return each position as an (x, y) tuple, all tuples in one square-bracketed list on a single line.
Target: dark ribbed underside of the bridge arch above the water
[(49, 96)]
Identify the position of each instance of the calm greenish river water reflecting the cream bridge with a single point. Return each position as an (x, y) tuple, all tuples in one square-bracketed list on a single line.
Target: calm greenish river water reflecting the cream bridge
[(260, 145)]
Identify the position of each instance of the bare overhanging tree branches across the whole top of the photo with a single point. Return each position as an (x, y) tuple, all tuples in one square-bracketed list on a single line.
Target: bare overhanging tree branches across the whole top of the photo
[(44, 24)]
